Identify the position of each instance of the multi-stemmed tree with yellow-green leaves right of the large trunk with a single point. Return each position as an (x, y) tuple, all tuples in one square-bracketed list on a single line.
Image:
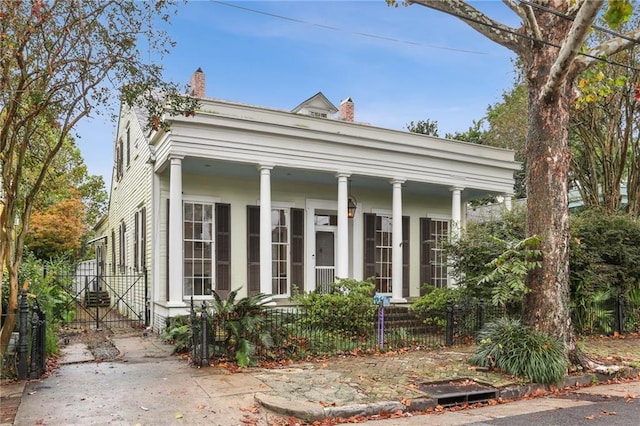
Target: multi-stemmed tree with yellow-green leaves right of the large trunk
[(604, 133)]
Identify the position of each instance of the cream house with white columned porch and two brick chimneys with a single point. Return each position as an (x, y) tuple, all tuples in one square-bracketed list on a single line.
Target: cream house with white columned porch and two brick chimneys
[(240, 196)]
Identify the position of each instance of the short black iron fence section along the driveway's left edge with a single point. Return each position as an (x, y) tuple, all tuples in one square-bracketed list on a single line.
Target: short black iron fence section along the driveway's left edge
[(30, 349)]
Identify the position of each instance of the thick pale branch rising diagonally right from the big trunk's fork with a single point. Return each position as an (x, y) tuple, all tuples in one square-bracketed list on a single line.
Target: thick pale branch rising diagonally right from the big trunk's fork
[(569, 50)]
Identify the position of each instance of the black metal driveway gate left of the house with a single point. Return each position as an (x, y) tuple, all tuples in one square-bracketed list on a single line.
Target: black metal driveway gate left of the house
[(104, 297)]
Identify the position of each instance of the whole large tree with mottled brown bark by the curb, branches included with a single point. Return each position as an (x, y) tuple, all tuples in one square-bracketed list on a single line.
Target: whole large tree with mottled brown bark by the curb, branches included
[(551, 46)]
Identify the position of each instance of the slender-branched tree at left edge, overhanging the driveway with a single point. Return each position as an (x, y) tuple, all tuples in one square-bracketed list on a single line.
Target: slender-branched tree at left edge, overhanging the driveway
[(60, 62)]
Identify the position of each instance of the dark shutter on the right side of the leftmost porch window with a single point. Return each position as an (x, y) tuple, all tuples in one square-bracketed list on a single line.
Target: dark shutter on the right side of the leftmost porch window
[(223, 250)]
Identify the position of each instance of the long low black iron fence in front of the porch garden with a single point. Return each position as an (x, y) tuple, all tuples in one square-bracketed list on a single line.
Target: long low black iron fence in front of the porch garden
[(293, 334)]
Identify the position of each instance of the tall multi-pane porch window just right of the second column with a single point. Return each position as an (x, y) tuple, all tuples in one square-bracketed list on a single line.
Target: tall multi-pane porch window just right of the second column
[(280, 250)]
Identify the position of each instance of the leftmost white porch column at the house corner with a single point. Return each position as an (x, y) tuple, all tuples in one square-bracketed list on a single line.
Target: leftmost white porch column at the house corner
[(176, 262)]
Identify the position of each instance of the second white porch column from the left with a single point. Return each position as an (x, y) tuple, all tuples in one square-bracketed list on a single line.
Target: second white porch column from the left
[(266, 286)]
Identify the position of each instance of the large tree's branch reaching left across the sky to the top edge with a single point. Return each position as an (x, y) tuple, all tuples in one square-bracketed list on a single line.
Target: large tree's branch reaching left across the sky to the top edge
[(493, 30)]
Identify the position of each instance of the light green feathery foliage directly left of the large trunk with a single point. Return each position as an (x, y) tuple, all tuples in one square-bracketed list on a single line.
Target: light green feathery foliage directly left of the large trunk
[(510, 268)]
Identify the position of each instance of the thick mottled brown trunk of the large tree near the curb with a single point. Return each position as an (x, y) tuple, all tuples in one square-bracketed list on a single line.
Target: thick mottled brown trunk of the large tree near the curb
[(548, 160)]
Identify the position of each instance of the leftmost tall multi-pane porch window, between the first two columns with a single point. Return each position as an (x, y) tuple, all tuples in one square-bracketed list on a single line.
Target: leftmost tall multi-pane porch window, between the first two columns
[(198, 249)]
